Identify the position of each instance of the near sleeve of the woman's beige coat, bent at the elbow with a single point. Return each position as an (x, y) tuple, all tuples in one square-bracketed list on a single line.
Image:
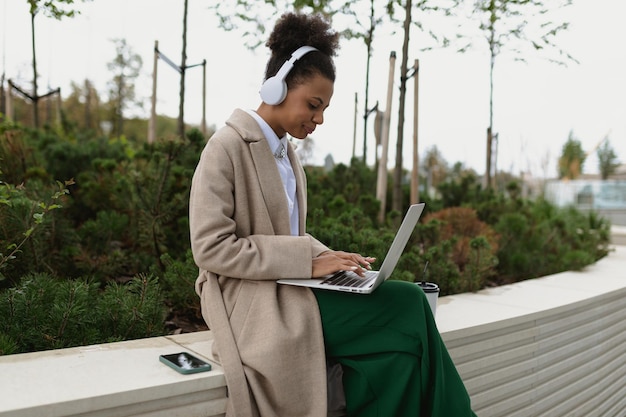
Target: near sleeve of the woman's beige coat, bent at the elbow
[(230, 234)]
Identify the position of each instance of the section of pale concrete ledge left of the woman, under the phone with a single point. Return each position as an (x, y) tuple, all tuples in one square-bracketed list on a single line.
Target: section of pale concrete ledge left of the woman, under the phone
[(114, 379)]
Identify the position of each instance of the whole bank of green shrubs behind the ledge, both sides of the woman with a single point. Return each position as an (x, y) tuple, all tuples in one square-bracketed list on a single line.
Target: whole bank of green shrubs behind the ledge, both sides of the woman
[(127, 216)]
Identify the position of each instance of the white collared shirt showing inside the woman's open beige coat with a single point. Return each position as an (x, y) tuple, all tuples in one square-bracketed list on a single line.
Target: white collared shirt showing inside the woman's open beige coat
[(284, 169)]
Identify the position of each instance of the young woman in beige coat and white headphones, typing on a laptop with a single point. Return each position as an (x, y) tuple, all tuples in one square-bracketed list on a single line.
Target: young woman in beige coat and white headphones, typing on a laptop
[(247, 222)]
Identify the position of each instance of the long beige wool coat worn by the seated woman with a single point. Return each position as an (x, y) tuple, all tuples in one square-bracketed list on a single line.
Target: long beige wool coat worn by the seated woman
[(268, 337)]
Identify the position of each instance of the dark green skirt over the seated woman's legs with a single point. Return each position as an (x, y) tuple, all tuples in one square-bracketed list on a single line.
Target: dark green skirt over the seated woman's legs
[(393, 358)]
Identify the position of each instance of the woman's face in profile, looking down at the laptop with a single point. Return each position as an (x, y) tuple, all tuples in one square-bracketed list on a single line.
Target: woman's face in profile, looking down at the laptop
[(303, 108)]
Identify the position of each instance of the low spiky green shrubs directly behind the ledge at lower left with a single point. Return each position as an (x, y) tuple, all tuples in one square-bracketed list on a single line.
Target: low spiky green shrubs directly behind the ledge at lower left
[(44, 312)]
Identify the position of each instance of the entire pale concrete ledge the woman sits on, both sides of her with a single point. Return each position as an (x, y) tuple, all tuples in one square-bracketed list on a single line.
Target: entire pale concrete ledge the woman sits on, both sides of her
[(549, 346)]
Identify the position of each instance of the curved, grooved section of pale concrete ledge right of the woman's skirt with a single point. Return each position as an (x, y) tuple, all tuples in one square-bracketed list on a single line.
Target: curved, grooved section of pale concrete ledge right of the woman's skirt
[(551, 346)]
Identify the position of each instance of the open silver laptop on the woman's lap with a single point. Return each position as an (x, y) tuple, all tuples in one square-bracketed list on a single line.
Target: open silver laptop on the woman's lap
[(350, 281)]
